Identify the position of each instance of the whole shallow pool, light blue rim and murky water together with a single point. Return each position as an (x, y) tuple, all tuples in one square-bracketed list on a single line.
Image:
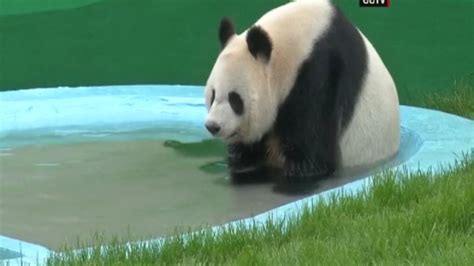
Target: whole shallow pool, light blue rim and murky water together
[(75, 161)]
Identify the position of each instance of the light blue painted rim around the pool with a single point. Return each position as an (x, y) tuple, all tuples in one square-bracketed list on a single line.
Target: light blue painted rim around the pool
[(445, 137)]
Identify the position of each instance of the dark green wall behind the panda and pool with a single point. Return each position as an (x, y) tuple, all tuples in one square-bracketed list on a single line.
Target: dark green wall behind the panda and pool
[(426, 44)]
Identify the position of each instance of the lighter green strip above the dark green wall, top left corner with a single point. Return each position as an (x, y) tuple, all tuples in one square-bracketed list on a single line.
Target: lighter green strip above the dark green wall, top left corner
[(15, 7)]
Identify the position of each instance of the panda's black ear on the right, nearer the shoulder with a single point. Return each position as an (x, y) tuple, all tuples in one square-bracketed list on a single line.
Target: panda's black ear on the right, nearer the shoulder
[(259, 43)]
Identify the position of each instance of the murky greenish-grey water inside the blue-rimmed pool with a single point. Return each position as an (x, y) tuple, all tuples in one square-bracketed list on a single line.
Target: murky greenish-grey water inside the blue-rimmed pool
[(69, 187)]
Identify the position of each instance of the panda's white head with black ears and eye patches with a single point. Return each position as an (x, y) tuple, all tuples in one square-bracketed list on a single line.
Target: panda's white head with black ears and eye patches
[(240, 105)]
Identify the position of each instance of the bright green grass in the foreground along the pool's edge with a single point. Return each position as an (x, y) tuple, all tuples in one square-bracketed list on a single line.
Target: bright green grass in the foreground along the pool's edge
[(419, 218)]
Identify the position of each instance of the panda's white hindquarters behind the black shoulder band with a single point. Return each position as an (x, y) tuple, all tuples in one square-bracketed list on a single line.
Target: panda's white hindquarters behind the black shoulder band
[(374, 132)]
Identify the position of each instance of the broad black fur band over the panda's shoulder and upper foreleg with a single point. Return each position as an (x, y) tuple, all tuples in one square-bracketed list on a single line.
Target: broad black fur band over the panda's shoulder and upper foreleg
[(328, 83)]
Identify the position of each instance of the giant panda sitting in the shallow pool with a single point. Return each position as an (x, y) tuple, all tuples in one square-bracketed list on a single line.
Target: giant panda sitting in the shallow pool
[(299, 95)]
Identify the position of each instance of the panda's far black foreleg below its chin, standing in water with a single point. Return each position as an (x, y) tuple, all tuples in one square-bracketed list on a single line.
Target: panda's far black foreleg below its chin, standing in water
[(247, 163)]
